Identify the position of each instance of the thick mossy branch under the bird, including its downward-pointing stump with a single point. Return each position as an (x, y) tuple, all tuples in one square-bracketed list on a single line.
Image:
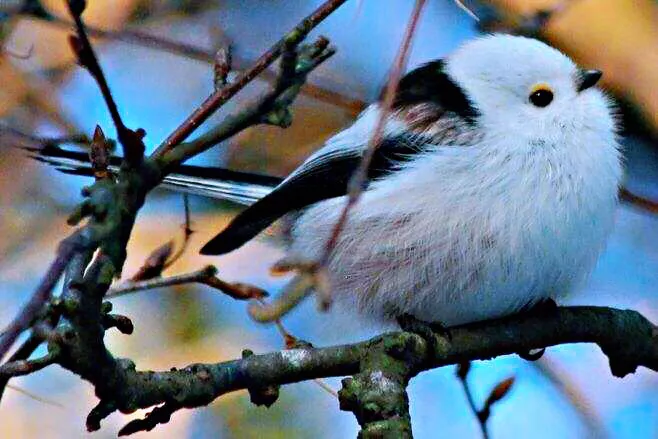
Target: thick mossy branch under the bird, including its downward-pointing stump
[(382, 366)]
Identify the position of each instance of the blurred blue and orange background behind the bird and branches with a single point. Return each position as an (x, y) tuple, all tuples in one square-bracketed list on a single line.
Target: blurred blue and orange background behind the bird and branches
[(570, 393)]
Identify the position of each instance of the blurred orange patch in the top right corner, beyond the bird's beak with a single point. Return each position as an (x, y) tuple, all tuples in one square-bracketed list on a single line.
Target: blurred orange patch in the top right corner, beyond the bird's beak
[(619, 37)]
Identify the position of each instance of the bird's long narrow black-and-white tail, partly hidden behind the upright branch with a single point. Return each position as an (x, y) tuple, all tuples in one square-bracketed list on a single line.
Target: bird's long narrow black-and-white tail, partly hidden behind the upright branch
[(239, 187)]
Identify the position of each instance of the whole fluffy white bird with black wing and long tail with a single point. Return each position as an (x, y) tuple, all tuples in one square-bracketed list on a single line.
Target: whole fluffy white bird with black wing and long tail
[(492, 191)]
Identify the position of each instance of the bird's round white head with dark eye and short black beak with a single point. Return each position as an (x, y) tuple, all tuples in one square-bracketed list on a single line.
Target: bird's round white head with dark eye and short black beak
[(522, 88)]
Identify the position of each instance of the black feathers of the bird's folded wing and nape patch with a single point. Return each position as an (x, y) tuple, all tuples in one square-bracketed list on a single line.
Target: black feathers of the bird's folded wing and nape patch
[(326, 174)]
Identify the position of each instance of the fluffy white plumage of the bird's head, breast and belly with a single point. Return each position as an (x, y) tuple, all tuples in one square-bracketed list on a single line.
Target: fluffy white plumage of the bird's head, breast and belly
[(466, 233)]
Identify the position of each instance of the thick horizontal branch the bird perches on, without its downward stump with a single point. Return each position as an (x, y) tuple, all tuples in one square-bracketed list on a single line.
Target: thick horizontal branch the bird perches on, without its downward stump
[(628, 339)]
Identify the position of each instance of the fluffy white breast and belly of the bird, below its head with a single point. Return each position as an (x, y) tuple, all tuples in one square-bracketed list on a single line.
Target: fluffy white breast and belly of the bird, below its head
[(470, 233)]
